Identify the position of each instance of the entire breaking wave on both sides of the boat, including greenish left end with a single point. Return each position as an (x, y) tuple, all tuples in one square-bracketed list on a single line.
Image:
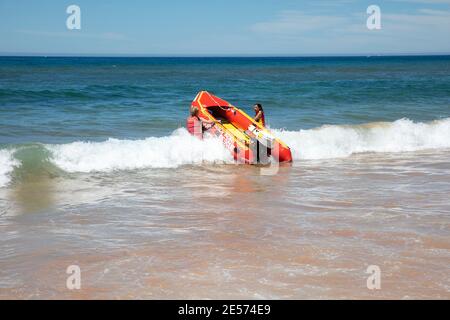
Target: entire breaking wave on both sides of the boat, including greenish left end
[(180, 148)]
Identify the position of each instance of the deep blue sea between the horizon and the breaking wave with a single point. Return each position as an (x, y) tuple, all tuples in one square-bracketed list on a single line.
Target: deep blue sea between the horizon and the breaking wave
[(60, 100)]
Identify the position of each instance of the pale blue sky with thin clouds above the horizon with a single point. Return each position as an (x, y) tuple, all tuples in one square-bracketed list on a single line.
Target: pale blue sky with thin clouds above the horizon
[(231, 27)]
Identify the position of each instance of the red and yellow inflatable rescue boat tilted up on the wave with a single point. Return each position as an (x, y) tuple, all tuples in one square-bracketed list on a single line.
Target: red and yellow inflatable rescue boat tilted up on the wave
[(248, 141)]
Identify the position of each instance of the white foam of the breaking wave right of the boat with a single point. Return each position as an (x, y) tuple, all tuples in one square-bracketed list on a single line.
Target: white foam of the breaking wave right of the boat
[(336, 141)]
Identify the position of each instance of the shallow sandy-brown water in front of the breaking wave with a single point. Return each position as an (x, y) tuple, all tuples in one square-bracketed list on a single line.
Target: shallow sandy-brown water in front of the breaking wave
[(225, 231)]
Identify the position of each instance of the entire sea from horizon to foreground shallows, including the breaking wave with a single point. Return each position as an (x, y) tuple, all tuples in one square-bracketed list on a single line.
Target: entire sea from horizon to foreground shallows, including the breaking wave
[(97, 171)]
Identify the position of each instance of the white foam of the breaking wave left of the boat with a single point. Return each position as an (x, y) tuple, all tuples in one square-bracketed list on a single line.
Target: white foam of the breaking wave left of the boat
[(180, 148)]
